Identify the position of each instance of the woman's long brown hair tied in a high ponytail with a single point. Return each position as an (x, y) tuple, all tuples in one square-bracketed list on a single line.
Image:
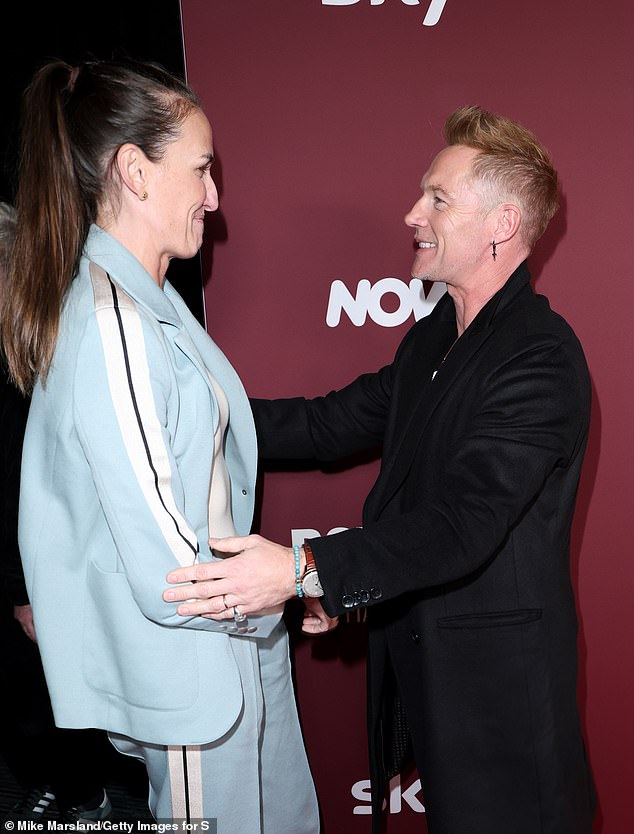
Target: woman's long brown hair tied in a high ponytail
[(74, 120)]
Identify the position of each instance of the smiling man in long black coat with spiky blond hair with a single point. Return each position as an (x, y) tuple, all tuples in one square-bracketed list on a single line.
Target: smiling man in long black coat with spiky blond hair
[(463, 557)]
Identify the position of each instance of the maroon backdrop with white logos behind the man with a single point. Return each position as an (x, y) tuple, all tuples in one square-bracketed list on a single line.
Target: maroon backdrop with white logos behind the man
[(325, 116)]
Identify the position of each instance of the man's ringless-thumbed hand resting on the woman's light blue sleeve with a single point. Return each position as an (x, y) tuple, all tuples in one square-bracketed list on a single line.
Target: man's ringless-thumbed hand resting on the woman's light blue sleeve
[(261, 575)]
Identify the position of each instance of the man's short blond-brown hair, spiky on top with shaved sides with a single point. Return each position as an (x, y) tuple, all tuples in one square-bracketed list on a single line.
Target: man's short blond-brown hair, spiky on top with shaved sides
[(513, 165)]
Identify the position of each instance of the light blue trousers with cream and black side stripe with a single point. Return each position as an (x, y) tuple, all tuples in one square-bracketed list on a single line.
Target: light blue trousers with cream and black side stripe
[(255, 778)]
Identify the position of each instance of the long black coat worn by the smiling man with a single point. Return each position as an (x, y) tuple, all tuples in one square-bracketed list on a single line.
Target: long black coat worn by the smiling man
[(463, 557)]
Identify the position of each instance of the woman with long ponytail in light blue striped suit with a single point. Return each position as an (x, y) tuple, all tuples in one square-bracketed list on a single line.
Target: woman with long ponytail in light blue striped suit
[(139, 445)]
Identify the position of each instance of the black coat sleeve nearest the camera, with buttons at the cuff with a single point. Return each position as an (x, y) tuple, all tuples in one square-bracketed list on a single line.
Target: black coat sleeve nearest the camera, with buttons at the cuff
[(532, 420)]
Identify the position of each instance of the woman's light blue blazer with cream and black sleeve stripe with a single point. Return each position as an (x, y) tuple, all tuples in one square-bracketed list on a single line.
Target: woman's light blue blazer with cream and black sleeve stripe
[(116, 469)]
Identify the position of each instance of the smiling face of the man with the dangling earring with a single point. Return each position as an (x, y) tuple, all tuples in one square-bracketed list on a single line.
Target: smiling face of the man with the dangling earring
[(451, 235)]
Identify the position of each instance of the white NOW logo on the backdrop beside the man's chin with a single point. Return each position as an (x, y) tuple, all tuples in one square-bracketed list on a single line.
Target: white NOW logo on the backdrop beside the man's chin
[(368, 301)]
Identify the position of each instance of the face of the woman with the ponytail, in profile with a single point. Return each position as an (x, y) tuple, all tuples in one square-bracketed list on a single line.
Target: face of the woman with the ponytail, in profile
[(181, 190)]
